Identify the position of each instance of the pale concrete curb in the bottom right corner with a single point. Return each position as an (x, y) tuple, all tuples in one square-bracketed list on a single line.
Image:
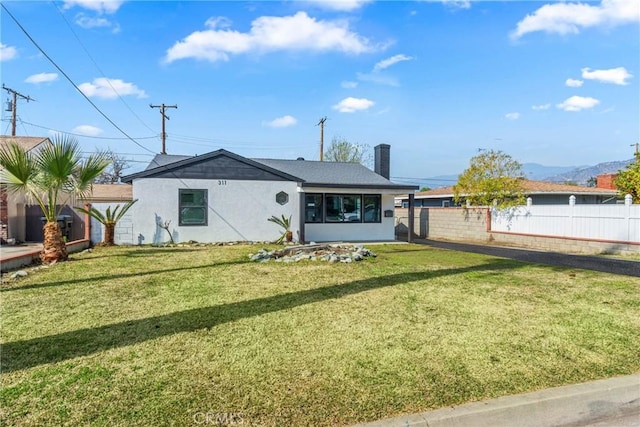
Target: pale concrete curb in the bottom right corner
[(572, 405)]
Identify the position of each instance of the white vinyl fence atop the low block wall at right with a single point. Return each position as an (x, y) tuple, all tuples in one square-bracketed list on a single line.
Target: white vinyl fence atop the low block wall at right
[(609, 222)]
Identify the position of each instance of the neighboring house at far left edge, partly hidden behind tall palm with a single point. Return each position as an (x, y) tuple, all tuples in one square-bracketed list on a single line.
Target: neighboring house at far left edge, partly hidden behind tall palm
[(13, 215)]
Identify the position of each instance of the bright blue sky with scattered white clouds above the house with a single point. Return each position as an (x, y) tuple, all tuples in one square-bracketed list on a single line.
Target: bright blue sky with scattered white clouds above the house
[(554, 83)]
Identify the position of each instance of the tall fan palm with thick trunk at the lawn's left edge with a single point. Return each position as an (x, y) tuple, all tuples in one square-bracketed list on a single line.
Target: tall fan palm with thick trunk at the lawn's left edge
[(51, 177)]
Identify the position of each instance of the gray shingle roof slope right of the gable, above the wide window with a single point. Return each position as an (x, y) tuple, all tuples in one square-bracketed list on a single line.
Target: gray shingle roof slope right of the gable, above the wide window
[(330, 173)]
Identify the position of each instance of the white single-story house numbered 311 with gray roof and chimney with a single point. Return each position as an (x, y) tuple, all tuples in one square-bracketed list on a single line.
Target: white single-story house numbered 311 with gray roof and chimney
[(221, 196)]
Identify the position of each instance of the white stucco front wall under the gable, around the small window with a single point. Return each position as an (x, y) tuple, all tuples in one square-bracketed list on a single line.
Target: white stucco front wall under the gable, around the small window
[(237, 210)]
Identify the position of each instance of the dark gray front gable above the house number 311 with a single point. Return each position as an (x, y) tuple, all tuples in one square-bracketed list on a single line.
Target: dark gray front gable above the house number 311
[(220, 164)]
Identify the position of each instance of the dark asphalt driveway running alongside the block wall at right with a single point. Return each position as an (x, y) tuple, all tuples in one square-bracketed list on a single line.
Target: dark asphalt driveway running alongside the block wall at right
[(586, 262)]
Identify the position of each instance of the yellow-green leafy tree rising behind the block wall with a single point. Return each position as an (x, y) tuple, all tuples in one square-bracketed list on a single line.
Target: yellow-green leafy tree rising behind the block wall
[(493, 177)]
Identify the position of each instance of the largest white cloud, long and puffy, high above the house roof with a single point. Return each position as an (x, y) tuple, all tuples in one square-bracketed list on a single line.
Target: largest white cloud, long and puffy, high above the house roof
[(298, 32)]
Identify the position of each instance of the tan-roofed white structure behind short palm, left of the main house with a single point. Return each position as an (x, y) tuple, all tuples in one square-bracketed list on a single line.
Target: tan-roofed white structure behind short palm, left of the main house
[(102, 197)]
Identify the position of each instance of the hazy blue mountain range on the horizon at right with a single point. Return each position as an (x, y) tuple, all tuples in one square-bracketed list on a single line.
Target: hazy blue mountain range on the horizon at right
[(537, 172)]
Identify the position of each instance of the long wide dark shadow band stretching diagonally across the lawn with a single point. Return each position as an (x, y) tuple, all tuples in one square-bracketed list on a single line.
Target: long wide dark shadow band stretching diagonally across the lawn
[(25, 354)]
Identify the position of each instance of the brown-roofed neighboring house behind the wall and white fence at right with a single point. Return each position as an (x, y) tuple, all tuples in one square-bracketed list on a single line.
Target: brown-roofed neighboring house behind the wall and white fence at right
[(540, 192)]
